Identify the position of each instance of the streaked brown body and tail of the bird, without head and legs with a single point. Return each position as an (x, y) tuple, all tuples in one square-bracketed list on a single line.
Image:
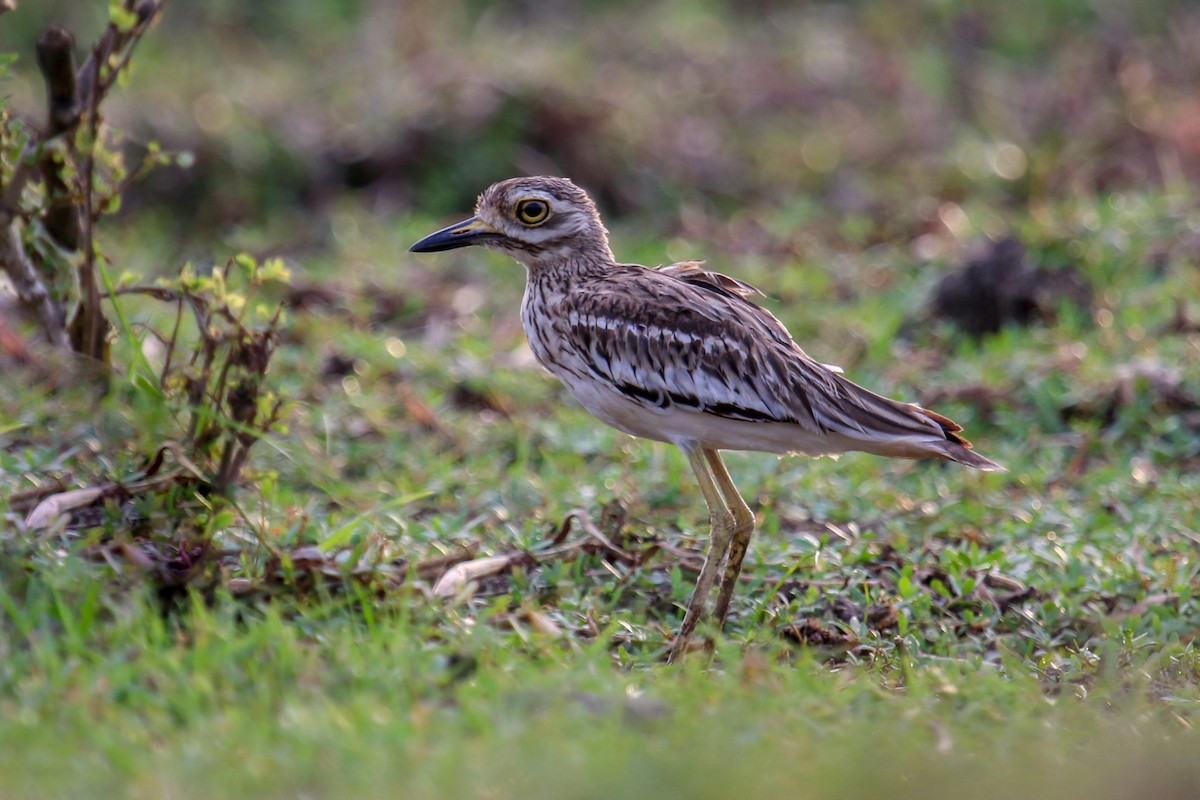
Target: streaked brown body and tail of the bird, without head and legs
[(682, 353)]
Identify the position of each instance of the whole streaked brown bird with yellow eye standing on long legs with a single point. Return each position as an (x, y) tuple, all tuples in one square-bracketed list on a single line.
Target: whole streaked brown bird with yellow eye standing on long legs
[(683, 356)]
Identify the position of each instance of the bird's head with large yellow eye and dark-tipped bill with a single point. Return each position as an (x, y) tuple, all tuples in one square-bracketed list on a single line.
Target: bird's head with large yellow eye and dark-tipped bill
[(538, 221)]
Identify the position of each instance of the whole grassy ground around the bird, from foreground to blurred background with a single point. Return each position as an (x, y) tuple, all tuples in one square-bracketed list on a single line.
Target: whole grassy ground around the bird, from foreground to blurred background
[(904, 629)]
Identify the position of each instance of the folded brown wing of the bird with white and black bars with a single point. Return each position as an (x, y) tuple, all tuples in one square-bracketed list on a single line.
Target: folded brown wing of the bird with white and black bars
[(682, 336)]
